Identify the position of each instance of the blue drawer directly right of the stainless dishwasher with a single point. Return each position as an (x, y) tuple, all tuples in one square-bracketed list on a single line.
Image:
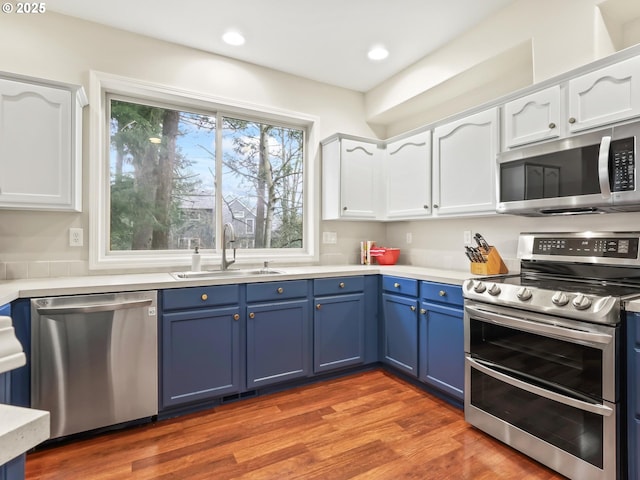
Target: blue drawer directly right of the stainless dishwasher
[(196, 297)]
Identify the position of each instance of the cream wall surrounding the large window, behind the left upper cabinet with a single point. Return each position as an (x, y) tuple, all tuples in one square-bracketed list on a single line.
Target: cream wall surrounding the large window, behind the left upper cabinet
[(60, 48)]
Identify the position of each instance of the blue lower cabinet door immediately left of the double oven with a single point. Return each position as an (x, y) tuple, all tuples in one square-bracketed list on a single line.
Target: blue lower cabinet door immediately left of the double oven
[(442, 348)]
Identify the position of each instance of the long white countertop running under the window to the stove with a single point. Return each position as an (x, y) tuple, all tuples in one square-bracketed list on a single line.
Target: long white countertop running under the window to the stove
[(13, 289)]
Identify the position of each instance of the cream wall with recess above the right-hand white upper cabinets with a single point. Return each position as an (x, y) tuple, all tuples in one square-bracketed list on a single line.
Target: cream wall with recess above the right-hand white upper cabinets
[(560, 36)]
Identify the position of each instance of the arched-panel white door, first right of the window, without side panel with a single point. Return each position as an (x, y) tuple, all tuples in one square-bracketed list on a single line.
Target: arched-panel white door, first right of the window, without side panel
[(359, 173)]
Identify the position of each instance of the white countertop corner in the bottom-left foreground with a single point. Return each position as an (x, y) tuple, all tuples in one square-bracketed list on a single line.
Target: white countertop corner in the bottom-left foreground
[(20, 430)]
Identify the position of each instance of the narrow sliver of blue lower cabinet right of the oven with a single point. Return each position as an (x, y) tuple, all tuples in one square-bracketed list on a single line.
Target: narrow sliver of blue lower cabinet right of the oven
[(633, 395)]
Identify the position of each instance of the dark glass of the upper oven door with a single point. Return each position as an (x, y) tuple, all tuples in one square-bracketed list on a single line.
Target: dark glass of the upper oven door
[(566, 367)]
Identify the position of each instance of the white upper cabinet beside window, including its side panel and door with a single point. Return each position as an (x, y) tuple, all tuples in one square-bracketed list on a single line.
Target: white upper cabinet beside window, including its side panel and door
[(350, 179)]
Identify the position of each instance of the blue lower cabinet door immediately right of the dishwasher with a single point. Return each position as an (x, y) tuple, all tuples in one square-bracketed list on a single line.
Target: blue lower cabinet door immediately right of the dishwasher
[(200, 355)]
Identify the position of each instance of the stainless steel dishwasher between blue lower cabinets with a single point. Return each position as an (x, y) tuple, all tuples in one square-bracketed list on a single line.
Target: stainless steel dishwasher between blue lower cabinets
[(94, 360)]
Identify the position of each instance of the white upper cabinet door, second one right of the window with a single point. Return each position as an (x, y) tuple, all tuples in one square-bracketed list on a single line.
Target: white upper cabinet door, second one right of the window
[(408, 177)]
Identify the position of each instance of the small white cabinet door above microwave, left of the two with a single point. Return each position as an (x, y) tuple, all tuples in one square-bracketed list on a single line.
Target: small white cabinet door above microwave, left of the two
[(533, 117)]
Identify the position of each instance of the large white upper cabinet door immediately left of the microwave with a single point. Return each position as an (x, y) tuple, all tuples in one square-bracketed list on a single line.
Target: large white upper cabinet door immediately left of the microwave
[(464, 160)]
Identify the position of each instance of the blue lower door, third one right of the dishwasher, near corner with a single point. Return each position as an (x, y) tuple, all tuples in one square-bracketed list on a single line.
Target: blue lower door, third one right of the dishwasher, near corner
[(338, 332)]
